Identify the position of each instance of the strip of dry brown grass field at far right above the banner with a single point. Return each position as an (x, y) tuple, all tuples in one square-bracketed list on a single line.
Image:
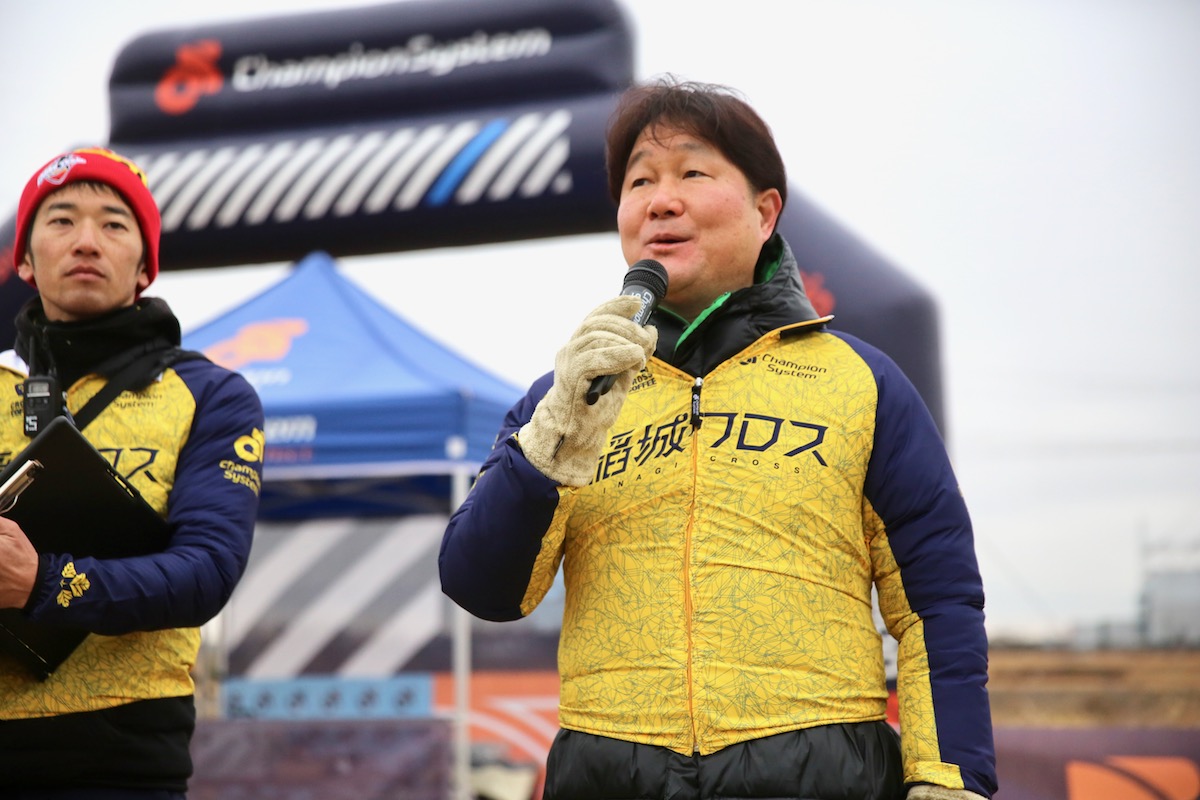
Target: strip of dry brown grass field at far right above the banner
[(1095, 689)]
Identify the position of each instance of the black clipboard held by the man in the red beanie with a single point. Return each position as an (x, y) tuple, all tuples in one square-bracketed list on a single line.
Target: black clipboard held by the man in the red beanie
[(69, 500)]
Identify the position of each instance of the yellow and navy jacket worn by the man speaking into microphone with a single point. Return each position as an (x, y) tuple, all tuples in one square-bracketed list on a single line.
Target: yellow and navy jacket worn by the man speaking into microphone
[(764, 476)]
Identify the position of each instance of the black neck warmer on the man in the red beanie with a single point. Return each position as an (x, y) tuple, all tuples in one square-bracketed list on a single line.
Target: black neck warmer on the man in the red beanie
[(103, 345)]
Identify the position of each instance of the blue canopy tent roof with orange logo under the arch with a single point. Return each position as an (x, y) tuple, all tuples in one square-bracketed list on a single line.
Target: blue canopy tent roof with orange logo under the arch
[(365, 414)]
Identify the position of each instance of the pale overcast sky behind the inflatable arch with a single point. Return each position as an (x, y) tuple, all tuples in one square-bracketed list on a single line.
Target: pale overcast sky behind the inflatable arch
[(1034, 164)]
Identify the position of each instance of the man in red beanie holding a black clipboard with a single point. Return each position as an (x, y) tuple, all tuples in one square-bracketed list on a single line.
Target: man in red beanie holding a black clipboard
[(116, 719)]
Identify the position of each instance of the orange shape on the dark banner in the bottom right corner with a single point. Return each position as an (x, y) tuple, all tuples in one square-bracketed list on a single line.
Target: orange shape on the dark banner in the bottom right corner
[(1135, 778)]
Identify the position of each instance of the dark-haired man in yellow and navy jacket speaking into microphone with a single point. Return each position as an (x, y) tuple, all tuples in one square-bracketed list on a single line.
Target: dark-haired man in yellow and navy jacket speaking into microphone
[(724, 482)]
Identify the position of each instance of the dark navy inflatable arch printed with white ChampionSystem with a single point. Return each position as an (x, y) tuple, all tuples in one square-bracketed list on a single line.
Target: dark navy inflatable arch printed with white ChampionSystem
[(419, 125)]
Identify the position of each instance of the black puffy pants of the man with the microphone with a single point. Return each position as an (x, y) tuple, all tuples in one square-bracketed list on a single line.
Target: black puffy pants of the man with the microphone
[(839, 762)]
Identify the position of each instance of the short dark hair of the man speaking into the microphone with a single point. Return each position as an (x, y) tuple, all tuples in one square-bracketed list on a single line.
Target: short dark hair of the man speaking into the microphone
[(709, 112)]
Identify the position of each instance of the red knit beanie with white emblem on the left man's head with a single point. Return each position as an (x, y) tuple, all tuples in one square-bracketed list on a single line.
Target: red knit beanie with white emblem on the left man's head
[(93, 165)]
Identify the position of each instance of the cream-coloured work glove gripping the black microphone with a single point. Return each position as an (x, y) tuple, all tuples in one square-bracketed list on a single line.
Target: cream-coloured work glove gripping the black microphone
[(565, 437)]
